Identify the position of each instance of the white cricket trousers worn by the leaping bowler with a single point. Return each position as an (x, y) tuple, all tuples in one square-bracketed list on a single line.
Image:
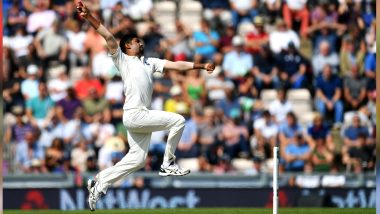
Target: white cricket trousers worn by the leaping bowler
[(140, 124)]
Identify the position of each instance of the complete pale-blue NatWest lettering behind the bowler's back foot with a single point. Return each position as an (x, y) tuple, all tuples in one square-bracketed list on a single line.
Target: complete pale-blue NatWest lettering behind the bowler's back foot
[(134, 199)]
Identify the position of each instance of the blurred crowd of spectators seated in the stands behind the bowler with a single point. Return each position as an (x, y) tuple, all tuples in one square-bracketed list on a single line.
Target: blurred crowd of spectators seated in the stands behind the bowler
[(297, 73)]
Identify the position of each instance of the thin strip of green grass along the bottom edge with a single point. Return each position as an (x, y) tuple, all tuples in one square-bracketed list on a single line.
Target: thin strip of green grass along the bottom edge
[(205, 211)]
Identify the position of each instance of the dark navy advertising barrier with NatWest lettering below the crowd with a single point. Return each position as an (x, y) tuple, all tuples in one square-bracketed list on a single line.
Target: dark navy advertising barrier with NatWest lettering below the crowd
[(73, 199)]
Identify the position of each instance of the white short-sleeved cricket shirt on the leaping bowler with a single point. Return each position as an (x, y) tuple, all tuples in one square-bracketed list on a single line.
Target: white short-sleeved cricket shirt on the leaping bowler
[(137, 75)]
